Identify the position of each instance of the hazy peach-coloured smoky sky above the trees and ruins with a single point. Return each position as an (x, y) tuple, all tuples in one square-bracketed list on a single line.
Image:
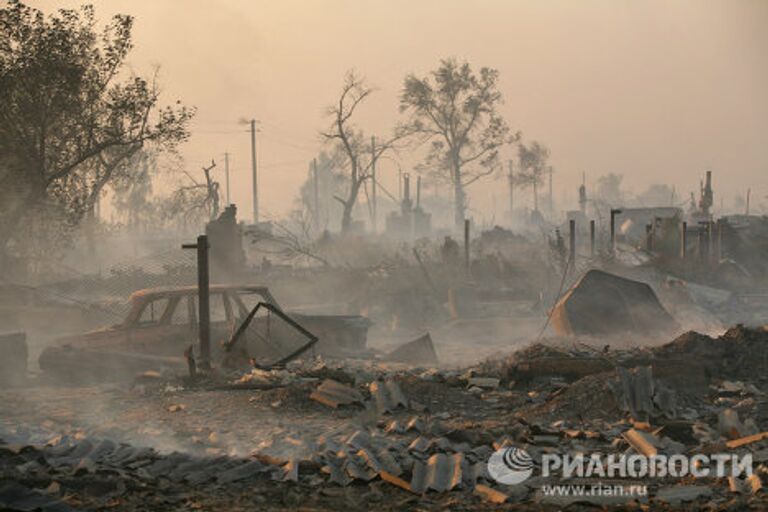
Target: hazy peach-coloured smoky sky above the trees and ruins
[(657, 90)]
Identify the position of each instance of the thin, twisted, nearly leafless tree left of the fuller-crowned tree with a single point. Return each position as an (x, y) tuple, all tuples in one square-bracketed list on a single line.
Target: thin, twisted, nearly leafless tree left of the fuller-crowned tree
[(360, 156)]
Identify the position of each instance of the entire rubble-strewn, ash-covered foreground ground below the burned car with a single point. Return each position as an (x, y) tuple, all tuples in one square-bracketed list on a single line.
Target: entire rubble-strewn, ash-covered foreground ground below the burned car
[(326, 435)]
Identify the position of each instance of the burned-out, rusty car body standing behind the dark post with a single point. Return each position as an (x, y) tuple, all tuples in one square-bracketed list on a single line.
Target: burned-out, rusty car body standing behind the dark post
[(162, 324)]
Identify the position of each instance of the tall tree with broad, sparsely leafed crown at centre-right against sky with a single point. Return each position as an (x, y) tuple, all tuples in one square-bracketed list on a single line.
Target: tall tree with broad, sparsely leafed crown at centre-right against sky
[(456, 110)]
